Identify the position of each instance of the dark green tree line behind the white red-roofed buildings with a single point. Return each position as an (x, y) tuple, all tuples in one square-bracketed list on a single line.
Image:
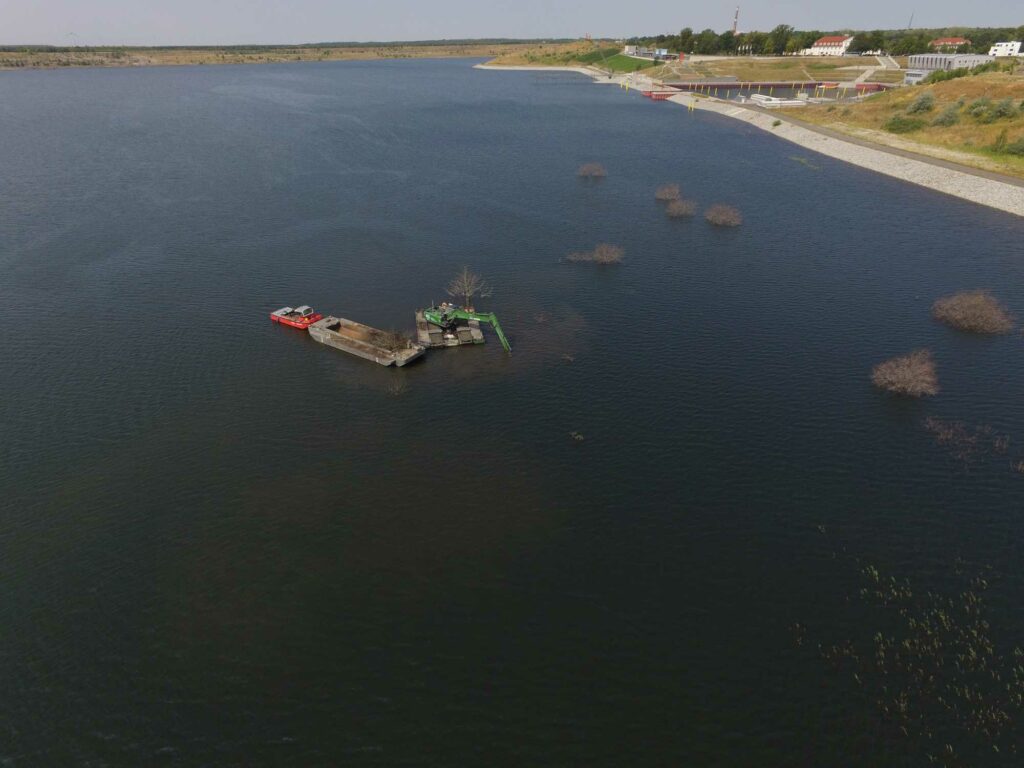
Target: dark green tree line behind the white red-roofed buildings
[(785, 39)]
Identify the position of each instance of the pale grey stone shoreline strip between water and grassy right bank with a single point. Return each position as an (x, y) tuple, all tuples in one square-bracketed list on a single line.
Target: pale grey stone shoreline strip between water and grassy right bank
[(975, 186)]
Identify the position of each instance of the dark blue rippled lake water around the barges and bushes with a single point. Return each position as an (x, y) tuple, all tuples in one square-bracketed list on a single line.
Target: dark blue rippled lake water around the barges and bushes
[(223, 543)]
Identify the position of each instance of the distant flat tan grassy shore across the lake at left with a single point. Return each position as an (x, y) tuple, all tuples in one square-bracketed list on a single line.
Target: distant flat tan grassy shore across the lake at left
[(47, 58)]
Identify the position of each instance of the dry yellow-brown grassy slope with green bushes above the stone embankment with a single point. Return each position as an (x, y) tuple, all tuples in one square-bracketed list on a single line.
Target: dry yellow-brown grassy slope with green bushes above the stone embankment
[(978, 121)]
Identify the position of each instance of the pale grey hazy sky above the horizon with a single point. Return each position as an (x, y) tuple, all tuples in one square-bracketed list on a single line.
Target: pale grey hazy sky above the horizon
[(228, 22)]
